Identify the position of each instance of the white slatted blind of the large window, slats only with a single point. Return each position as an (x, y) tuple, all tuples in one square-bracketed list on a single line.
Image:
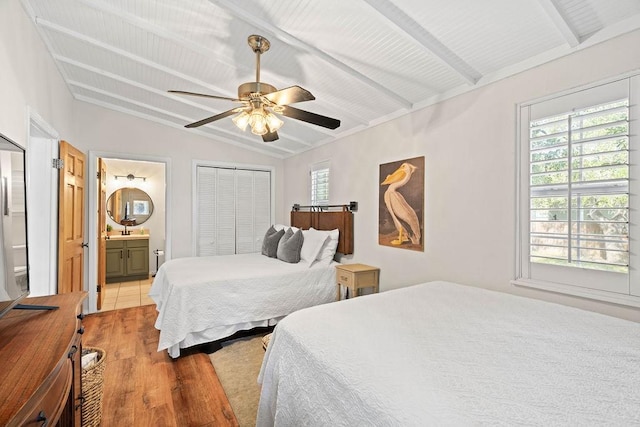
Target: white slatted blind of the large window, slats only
[(579, 188)]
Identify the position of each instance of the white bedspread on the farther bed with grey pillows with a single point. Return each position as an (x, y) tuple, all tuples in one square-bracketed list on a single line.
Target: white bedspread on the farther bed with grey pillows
[(203, 299)]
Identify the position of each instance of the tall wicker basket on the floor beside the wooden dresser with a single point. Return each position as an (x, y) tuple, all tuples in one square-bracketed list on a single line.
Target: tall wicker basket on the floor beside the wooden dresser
[(92, 380)]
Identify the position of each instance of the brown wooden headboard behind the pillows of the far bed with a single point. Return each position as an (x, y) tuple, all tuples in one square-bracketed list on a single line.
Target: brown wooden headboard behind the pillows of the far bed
[(327, 220)]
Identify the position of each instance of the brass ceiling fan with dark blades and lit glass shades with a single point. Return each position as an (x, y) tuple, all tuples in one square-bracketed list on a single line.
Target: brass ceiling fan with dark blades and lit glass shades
[(261, 100)]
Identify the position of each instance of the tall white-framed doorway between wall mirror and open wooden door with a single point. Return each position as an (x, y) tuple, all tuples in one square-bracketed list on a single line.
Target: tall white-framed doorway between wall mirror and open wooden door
[(42, 202)]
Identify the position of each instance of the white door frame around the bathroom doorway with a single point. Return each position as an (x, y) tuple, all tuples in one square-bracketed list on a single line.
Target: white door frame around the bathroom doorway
[(91, 278)]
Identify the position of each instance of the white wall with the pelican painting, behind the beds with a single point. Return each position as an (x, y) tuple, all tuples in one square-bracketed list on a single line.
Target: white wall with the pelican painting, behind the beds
[(469, 148)]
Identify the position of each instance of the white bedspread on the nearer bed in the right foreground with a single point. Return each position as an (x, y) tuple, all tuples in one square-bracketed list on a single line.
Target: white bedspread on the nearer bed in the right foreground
[(447, 354)]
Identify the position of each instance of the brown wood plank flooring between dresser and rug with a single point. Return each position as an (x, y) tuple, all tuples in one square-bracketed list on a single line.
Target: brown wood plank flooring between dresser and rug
[(144, 387)]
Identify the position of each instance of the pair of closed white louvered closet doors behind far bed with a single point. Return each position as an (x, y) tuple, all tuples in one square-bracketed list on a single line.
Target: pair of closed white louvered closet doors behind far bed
[(233, 210)]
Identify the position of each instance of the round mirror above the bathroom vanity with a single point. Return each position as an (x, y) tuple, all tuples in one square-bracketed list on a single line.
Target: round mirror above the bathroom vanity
[(129, 206)]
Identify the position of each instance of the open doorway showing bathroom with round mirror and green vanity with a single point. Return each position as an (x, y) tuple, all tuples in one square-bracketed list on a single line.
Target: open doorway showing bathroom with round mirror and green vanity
[(130, 228)]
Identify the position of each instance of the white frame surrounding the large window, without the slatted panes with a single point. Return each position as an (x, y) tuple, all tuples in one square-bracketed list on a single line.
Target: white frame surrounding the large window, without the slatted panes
[(596, 283)]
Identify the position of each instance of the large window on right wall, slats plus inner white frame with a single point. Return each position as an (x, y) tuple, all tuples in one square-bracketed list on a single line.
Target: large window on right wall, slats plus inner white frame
[(575, 198)]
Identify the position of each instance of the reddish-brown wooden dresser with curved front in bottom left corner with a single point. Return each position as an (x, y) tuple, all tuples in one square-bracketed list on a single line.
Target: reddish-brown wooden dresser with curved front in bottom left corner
[(40, 372)]
